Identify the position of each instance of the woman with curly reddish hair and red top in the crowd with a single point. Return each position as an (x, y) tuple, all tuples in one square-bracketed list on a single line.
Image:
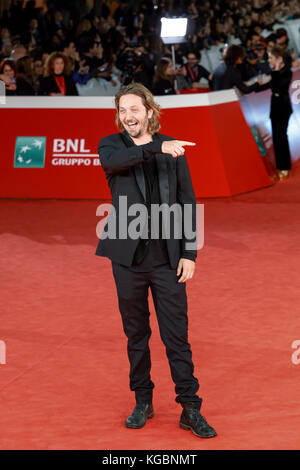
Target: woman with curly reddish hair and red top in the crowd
[(57, 80)]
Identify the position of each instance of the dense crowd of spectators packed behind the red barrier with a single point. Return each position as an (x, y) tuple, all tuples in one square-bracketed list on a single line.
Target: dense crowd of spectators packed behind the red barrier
[(57, 48)]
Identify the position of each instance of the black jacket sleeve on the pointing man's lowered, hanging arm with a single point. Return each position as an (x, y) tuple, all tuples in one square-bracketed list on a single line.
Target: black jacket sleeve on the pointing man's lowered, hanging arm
[(186, 195)]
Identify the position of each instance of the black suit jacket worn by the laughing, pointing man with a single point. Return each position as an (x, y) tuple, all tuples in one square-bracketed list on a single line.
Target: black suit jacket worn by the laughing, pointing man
[(122, 162)]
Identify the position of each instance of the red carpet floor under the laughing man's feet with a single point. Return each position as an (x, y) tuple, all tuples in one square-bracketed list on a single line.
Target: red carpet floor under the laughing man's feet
[(65, 381)]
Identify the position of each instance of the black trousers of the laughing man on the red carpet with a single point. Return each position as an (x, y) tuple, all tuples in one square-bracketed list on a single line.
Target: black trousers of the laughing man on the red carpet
[(170, 303)]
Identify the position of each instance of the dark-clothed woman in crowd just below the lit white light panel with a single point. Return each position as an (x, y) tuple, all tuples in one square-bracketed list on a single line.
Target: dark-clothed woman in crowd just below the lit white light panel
[(164, 78)]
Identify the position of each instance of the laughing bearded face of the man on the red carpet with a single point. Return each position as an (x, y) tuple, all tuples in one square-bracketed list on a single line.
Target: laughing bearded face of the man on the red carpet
[(133, 115)]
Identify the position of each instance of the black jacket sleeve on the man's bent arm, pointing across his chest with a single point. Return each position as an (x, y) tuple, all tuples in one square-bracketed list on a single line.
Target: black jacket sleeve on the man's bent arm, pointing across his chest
[(116, 160)]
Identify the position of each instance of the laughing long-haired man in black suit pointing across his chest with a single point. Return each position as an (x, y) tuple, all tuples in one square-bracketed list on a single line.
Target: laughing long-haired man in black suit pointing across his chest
[(149, 169)]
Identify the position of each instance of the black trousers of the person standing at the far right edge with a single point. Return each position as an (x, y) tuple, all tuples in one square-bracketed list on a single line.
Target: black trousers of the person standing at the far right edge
[(281, 143)]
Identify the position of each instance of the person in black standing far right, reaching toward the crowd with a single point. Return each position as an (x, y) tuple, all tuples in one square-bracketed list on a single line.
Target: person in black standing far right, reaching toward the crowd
[(281, 109)]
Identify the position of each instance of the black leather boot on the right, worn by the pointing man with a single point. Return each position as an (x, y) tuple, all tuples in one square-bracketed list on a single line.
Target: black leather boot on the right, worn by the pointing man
[(193, 420)]
